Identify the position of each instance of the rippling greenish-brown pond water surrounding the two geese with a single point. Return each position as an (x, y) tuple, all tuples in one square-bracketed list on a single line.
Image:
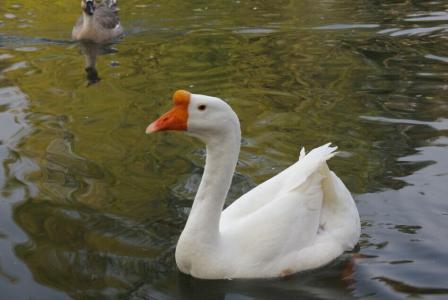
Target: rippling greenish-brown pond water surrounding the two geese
[(91, 208)]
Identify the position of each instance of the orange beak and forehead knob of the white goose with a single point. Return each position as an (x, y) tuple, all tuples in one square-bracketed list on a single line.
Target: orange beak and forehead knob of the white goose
[(176, 118)]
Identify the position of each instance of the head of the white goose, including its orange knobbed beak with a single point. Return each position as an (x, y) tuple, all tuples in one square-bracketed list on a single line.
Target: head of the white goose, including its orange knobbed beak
[(201, 116)]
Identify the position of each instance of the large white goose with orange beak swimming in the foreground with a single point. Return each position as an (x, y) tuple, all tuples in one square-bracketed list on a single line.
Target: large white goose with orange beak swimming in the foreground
[(301, 219)]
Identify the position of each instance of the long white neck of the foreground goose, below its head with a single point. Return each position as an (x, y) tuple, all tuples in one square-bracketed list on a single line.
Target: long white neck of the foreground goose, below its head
[(222, 157)]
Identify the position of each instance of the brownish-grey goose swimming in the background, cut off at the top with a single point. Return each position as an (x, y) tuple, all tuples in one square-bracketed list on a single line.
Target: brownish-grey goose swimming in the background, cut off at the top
[(99, 22)]
